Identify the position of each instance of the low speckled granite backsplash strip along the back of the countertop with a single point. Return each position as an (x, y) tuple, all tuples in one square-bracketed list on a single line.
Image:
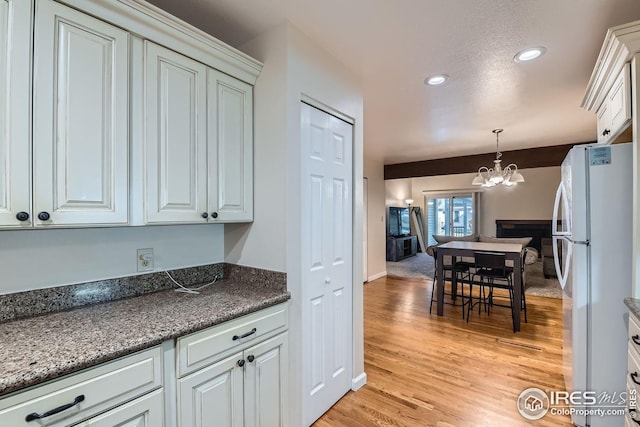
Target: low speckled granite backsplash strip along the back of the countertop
[(40, 301)]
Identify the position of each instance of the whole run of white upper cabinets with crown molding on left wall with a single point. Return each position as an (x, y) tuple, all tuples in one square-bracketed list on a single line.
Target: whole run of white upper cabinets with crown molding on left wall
[(116, 113)]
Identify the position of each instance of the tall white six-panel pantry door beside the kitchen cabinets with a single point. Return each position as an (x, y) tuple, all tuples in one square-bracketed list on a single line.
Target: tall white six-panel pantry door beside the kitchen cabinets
[(327, 260)]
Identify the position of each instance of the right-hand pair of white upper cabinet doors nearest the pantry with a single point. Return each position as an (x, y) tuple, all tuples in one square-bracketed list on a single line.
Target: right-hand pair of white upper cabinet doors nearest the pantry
[(198, 143)]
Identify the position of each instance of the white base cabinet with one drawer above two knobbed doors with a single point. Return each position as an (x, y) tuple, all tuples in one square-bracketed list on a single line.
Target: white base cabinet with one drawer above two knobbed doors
[(244, 381)]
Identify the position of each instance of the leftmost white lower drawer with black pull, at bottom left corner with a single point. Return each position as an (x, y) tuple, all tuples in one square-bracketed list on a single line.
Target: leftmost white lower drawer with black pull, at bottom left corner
[(103, 387)]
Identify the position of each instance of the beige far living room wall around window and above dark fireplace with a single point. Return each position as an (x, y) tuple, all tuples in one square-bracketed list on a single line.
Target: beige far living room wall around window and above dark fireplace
[(532, 199)]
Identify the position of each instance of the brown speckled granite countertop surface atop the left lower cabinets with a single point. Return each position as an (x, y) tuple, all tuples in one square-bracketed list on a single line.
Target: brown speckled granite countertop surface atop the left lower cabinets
[(45, 347)]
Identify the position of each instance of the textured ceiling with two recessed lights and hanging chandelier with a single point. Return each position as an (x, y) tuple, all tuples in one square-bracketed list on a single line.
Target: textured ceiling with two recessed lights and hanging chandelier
[(394, 45)]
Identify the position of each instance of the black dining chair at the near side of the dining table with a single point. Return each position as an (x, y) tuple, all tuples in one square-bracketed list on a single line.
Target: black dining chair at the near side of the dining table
[(493, 273)]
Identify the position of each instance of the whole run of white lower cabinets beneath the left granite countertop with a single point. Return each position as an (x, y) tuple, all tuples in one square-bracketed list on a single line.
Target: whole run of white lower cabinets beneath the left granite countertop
[(232, 374)]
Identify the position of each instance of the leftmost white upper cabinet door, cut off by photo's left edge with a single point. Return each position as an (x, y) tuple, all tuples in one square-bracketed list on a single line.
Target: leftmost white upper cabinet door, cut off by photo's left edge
[(15, 95)]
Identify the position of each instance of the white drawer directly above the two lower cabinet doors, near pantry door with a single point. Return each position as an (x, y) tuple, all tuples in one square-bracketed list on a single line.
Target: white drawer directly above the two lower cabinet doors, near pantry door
[(202, 348)]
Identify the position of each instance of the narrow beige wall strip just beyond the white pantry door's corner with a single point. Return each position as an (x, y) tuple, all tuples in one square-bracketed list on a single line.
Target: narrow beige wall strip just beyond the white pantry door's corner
[(376, 219)]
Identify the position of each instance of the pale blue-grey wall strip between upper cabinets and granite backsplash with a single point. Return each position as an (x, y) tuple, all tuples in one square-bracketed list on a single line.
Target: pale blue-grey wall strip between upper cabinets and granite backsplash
[(34, 259)]
